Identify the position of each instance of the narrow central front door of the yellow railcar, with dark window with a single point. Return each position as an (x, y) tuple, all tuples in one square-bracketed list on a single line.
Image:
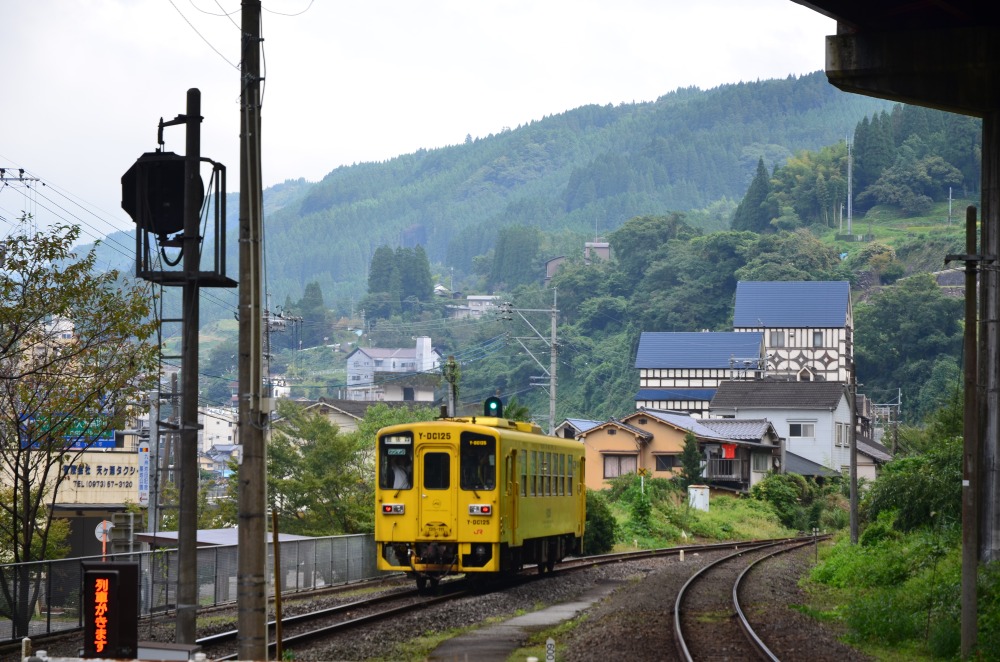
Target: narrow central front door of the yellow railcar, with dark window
[(438, 498)]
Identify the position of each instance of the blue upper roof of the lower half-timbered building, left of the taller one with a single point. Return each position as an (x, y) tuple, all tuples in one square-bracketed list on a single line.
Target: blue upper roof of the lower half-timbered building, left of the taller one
[(661, 349)]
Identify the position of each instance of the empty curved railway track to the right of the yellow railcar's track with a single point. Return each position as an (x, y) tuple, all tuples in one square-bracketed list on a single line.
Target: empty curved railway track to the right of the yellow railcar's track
[(709, 621)]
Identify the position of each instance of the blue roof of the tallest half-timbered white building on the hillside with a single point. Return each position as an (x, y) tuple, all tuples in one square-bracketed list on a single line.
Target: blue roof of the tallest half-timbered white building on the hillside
[(791, 304)]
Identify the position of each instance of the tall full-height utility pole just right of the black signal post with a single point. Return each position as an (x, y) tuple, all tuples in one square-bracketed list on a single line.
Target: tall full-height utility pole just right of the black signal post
[(251, 589)]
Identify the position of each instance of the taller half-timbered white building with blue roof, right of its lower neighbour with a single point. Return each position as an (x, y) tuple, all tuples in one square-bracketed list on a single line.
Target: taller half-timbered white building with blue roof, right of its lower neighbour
[(807, 326)]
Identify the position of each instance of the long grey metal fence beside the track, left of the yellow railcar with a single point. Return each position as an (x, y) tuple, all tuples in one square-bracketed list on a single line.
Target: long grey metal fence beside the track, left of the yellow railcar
[(44, 597)]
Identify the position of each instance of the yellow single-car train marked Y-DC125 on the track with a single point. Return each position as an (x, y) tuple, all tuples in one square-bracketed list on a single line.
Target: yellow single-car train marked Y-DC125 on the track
[(476, 495)]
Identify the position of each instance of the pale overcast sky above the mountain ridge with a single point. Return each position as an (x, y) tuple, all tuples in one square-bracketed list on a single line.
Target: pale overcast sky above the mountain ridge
[(84, 83)]
